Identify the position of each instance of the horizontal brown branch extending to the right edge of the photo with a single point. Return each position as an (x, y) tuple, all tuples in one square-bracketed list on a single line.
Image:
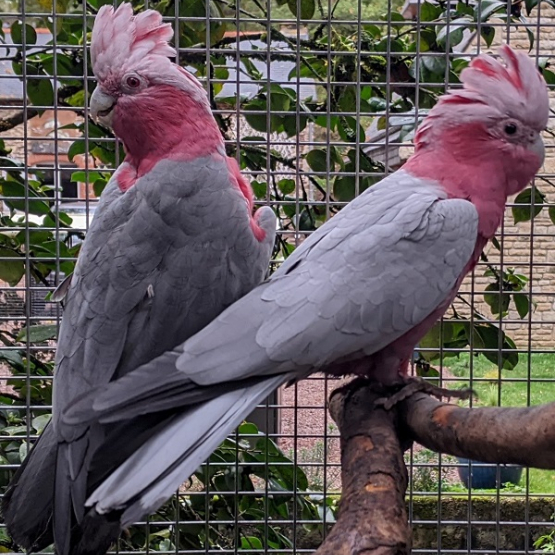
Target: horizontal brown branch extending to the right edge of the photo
[(524, 436)]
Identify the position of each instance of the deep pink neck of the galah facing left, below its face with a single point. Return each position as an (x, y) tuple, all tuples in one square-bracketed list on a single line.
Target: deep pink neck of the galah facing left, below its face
[(163, 123)]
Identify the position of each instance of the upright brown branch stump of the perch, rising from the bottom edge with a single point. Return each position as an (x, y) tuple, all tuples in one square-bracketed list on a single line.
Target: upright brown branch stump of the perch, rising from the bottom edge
[(372, 517)]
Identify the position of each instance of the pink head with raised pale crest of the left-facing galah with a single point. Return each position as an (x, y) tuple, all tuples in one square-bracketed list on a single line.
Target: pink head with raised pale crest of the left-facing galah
[(150, 102)]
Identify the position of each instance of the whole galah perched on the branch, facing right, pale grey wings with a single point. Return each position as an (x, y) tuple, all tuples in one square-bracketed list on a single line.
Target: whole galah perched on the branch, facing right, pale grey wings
[(356, 296)]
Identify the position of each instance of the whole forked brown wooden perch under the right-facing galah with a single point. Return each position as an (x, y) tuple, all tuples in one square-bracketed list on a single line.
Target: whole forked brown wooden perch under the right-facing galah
[(372, 517)]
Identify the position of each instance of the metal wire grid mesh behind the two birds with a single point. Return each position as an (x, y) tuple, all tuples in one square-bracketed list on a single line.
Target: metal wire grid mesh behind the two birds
[(304, 85)]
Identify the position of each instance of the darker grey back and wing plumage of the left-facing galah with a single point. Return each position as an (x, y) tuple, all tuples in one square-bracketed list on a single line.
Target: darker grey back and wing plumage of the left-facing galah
[(159, 262)]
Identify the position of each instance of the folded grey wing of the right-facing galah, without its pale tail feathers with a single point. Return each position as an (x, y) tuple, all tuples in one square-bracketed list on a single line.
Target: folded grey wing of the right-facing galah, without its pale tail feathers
[(377, 269)]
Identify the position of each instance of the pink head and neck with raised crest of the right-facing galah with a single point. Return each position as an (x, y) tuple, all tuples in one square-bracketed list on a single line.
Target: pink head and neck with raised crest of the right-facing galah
[(483, 142)]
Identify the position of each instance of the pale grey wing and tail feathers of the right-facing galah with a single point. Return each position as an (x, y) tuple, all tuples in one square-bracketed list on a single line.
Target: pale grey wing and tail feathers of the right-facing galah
[(356, 285)]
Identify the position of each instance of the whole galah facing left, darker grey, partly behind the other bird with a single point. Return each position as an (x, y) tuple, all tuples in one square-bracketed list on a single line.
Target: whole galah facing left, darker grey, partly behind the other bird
[(174, 241)]
